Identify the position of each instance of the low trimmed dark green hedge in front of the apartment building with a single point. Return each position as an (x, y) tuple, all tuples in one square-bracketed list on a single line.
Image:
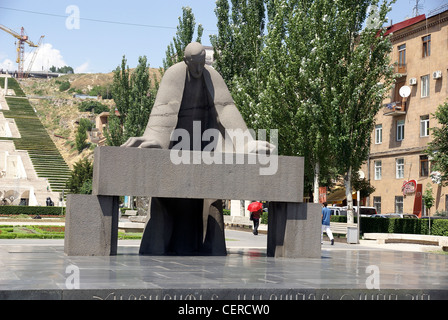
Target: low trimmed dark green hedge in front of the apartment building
[(439, 227)]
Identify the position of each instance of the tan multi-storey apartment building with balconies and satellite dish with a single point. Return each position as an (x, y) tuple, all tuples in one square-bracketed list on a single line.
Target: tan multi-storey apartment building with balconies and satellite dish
[(397, 166)]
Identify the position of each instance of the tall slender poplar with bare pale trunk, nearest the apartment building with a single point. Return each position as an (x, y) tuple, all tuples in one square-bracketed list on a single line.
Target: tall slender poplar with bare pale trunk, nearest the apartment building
[(366, 75)]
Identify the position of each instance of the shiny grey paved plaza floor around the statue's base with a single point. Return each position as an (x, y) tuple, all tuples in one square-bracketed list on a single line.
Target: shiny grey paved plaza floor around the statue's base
[(39, 269)]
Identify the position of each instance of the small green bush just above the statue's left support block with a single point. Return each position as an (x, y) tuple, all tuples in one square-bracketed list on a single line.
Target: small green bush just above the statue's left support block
[(80, 181)]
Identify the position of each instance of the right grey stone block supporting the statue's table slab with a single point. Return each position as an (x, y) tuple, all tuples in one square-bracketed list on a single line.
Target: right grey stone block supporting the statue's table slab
[(294, 230)]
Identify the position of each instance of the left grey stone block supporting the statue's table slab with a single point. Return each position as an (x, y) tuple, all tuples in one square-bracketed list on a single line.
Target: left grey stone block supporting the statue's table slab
[(91, 225)]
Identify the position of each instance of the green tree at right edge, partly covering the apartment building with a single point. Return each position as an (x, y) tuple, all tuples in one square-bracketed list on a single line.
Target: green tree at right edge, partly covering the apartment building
[(438, 148)]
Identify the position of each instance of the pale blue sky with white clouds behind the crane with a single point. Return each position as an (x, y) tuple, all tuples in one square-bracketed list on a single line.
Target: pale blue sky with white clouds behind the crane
[(107, 30)]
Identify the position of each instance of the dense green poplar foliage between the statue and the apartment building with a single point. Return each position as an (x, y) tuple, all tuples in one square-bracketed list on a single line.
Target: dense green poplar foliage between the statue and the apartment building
[(316, 75)]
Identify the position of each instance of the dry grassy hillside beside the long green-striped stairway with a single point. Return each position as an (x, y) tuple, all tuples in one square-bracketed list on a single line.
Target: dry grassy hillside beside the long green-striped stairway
[(58, 110)]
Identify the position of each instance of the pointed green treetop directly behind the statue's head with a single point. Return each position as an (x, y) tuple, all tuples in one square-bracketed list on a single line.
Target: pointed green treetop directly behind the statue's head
[(184, 35)]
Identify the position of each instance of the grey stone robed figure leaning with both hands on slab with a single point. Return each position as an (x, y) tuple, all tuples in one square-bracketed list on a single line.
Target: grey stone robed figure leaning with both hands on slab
[(191, 95)]
